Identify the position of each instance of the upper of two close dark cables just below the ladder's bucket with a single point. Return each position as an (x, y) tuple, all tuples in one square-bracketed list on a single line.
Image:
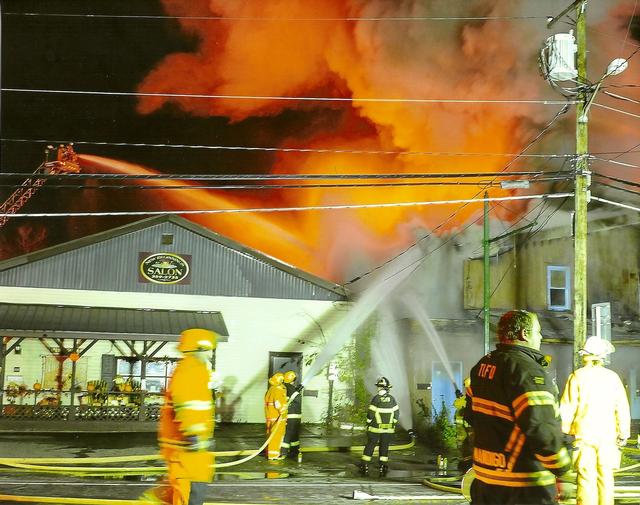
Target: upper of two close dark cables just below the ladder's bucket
[(275, 177)]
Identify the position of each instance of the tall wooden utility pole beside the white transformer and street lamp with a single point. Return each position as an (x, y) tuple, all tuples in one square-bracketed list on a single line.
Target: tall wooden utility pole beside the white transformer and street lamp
[(582, 193)]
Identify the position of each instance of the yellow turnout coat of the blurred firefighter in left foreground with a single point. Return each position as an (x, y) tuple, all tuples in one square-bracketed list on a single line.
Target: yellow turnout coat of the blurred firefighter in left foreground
[(188, 410)]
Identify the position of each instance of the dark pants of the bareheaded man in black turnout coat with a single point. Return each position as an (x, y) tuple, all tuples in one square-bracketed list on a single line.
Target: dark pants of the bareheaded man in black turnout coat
[(488, 494)]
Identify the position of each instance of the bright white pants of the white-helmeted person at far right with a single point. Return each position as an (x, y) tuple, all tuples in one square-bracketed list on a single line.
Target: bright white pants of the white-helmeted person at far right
[(595, 465)]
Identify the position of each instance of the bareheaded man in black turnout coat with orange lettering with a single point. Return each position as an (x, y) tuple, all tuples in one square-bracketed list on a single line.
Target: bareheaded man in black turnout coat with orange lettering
[(512, 406)]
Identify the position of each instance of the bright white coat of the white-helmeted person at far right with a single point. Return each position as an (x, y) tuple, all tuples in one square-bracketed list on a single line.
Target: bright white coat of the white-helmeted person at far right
[(594, 406)]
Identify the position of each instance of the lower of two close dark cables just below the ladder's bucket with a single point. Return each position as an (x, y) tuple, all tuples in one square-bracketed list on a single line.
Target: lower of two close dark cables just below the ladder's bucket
[(270, 186)]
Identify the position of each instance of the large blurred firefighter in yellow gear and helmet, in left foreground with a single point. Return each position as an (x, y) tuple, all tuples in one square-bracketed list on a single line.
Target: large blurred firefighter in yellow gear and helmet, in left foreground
[(187, 420)]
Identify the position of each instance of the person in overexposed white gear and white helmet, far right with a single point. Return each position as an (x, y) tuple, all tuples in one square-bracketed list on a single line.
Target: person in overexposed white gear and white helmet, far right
[(595, 410)]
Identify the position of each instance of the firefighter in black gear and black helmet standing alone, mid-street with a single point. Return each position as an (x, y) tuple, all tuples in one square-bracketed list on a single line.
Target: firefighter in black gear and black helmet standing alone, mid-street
[(382, 417)]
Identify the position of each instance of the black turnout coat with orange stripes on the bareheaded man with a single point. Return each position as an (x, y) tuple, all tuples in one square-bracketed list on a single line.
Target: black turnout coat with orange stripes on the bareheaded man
[(512, 405)]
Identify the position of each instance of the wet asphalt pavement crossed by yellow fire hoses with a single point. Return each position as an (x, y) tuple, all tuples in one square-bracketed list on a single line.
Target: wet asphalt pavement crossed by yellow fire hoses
[(321, 477)]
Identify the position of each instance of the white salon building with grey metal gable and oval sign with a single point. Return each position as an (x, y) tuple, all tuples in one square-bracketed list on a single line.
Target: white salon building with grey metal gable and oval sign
[(138, 286)]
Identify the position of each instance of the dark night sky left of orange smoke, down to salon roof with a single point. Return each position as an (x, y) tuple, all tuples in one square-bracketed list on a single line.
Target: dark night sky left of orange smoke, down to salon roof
[(108, 54)]
